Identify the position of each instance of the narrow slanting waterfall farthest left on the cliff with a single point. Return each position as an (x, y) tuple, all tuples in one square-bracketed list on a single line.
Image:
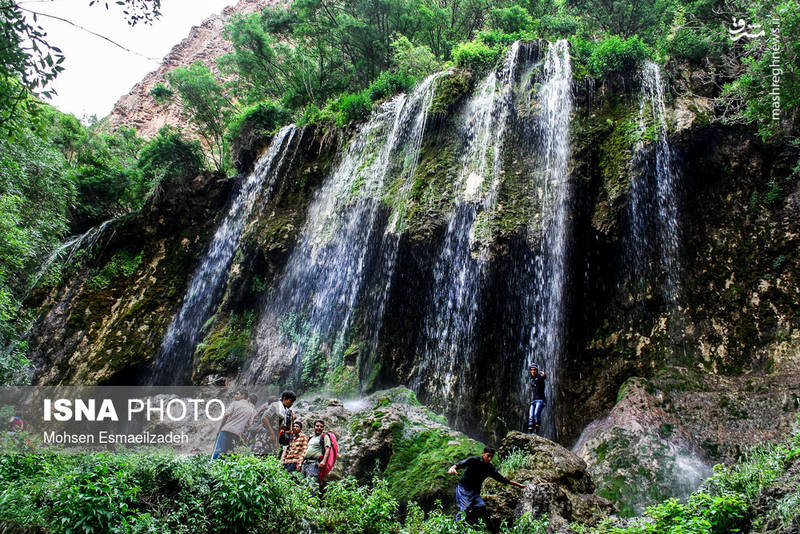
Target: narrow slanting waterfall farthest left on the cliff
[(174, 363)]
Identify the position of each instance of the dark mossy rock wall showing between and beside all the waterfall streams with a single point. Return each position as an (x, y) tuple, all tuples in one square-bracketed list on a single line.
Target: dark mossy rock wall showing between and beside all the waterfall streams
[(739, 201)]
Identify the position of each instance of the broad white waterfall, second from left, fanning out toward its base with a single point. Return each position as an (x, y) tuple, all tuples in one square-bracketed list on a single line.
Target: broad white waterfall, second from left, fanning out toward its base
[(308, 317)]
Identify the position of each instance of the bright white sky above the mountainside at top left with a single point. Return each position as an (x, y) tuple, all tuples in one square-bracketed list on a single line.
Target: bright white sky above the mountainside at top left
[(97, 73)]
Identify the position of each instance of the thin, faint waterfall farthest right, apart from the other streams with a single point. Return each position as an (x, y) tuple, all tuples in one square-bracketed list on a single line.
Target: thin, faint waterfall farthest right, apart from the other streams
[(655, 232)]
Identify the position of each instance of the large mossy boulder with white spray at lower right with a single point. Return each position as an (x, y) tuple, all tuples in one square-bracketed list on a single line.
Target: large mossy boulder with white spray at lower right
[(665, 433)]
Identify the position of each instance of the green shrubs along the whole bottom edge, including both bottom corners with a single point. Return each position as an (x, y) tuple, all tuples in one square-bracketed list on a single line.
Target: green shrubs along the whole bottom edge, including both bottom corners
[(167, 493)]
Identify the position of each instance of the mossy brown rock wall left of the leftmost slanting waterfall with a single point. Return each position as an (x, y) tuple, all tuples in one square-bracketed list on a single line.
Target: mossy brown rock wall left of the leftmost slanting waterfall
[(104, 323)]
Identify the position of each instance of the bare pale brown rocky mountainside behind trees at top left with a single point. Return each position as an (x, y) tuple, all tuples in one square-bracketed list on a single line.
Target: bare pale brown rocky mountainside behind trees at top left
[(205, 43)]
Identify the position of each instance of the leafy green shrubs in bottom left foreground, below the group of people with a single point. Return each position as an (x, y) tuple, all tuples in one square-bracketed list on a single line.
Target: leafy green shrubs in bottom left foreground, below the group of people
[(165, 493)]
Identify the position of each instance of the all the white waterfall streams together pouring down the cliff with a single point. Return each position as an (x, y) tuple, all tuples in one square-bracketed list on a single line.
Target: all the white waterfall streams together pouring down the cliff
[(330, 303)]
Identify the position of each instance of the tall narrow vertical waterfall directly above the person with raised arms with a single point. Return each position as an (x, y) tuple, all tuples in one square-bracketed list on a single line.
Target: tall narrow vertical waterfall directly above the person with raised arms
[(550, 271)]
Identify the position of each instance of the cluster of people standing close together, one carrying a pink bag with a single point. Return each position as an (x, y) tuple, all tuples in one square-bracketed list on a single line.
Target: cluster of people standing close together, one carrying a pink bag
[(274, 429)]
